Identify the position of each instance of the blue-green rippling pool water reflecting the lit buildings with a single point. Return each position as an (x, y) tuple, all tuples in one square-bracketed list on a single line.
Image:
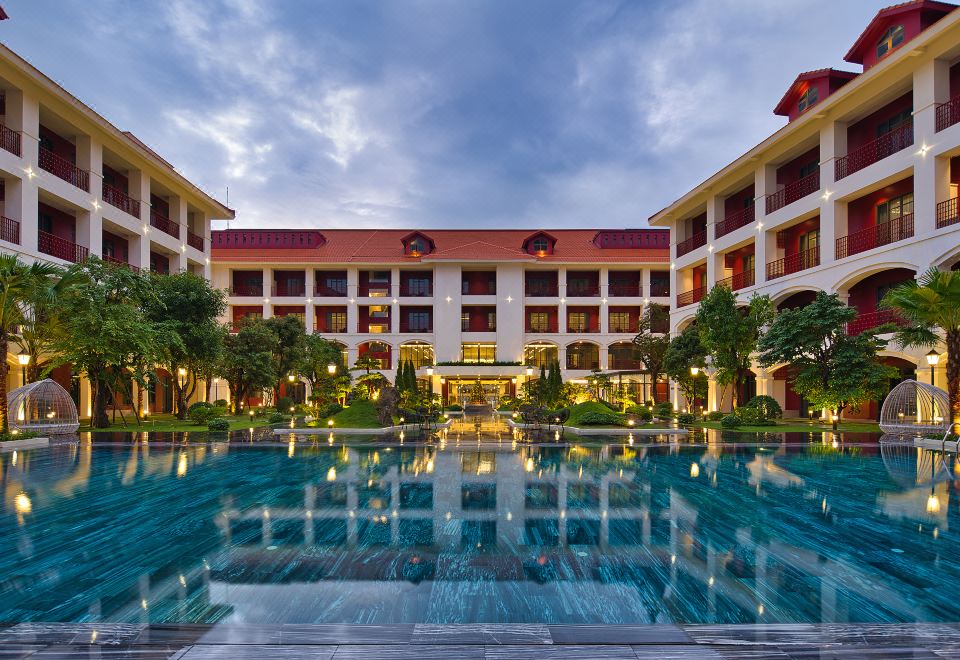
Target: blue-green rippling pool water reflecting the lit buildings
[(470, 532)]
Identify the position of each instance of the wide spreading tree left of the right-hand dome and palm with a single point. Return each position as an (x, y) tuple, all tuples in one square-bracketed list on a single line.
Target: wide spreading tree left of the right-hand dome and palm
[(830, 368)]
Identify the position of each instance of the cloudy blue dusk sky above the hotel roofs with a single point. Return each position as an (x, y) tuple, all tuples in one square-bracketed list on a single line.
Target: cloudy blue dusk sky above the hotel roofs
[(432, 114)]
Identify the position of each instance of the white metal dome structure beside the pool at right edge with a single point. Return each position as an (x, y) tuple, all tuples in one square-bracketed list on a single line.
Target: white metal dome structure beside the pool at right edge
[(913, 408)]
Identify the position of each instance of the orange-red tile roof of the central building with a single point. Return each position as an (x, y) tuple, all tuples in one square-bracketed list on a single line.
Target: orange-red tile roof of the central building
[(385, 246)]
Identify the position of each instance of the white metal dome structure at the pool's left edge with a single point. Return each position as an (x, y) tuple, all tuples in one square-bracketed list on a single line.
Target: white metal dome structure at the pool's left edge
[(43, 407)]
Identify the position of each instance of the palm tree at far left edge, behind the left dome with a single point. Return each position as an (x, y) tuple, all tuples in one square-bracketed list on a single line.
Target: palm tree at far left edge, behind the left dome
[(19, 284)]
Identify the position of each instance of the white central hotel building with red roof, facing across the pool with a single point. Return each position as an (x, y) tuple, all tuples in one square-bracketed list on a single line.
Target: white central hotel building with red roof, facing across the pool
[(480, 304)]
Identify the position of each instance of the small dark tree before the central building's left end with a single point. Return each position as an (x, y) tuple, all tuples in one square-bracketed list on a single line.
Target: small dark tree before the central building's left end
[(247, 362)]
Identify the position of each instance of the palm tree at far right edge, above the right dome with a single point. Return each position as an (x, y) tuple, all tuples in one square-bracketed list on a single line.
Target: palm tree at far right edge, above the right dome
[(928, 307)]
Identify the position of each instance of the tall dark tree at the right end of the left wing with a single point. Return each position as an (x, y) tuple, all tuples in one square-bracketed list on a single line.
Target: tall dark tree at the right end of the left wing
[(190, 308)]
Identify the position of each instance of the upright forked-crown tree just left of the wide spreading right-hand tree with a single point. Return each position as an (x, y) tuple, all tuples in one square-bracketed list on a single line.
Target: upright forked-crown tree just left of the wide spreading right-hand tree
[(730, 333)]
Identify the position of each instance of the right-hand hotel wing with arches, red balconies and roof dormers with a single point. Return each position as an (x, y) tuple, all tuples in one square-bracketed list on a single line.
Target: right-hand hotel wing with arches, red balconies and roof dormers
[(856, 194)]
